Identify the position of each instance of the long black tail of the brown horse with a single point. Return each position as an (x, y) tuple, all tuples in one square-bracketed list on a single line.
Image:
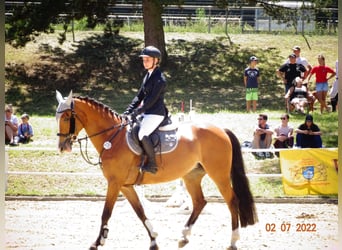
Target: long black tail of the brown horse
[(247, 210)]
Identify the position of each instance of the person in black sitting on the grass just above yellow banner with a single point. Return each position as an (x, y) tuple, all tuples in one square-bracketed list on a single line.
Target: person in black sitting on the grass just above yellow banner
[(308, 134)]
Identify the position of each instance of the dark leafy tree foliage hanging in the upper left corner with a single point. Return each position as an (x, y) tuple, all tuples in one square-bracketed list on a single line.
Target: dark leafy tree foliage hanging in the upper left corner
[(32, 17)]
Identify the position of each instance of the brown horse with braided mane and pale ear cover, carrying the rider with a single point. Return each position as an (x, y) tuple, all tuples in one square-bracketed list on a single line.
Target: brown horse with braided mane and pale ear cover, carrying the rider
[(202, 149)]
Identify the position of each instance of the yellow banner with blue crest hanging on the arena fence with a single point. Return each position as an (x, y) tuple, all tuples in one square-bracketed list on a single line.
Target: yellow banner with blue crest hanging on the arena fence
[(309, 171)]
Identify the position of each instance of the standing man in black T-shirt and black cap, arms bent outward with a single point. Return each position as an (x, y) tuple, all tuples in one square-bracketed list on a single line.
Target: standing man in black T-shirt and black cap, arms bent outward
[(289, 71)]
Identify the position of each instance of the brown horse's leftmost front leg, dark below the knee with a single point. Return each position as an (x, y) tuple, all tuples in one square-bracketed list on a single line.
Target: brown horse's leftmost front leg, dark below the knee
[(112, 194)]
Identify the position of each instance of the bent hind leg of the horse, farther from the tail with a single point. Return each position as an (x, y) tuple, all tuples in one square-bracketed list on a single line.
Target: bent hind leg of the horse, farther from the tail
[(192, 182)]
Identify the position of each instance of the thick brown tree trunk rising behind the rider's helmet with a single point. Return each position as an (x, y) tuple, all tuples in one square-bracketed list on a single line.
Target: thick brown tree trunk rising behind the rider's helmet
[(153, 26)]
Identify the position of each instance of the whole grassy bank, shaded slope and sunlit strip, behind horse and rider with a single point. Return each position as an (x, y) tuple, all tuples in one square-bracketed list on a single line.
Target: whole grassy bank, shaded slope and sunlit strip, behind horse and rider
[(205, 68)]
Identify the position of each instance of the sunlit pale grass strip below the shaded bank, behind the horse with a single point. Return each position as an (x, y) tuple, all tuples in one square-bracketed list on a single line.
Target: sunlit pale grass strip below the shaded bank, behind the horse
[(22, 159)]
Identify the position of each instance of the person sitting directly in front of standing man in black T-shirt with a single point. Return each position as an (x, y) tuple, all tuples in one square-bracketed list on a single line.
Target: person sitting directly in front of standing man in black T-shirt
[(298, 95)]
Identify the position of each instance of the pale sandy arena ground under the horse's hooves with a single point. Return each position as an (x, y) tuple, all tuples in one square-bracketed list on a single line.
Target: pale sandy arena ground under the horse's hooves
[(74, 225)]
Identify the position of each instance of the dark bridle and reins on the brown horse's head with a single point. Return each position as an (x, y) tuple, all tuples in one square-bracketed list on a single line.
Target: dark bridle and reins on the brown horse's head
[(71, 137)]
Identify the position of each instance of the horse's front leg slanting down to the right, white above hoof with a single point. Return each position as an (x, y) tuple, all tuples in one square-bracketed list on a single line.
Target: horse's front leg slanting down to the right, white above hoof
[(132, 197)]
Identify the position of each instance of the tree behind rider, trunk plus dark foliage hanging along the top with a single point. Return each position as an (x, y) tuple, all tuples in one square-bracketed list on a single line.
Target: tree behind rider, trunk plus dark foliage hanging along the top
[(33, 17)]
